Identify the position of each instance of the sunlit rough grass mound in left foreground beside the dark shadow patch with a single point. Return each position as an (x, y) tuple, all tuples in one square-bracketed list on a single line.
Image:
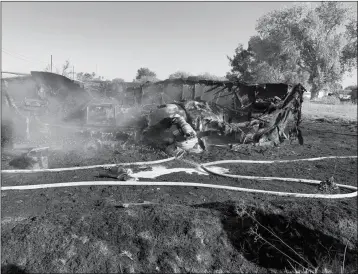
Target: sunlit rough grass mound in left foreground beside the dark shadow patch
[(169, 239)]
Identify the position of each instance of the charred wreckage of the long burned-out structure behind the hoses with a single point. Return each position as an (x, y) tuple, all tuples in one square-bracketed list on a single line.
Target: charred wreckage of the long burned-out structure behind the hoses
[(263, 114)]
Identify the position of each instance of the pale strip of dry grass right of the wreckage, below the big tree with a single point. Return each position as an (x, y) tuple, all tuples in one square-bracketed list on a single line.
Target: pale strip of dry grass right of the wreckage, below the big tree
[(314, 110)]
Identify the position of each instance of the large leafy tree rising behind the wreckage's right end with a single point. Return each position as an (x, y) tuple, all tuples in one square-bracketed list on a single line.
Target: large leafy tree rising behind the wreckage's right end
[(311, 45)]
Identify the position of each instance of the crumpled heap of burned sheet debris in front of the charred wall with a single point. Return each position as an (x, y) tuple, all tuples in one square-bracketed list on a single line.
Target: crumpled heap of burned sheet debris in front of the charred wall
[(188, 125)]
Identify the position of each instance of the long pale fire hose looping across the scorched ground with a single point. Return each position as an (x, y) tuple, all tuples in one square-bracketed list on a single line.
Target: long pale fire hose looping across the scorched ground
[(191, 184)]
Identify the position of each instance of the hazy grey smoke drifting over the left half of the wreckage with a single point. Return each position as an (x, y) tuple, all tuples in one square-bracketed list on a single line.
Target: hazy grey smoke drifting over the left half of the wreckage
[(60, 122)]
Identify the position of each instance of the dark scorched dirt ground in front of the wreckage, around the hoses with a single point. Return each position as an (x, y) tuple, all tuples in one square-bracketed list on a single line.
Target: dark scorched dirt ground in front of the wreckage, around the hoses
[(187, 229)]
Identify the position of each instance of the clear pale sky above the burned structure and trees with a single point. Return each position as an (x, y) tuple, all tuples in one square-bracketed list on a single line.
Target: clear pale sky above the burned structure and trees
[(115, 39)]
